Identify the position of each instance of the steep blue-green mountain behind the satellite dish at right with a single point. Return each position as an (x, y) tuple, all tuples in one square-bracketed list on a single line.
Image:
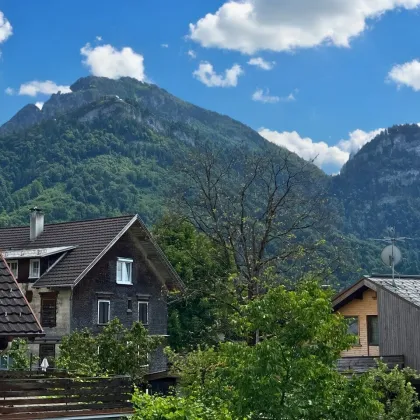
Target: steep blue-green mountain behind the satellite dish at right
[(379, 187)]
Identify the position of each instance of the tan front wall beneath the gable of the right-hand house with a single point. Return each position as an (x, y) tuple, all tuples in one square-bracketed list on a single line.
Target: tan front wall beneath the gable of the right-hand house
[(362, 308)]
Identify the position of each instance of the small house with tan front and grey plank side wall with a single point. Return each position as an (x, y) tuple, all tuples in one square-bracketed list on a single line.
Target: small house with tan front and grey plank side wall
[(384, 315)]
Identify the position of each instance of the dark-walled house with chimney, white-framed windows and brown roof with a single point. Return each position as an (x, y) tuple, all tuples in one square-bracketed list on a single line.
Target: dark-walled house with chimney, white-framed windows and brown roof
[(85, 273)]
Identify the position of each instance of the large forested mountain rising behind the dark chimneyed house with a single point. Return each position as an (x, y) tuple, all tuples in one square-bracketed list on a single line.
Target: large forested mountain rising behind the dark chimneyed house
[(106, 148)]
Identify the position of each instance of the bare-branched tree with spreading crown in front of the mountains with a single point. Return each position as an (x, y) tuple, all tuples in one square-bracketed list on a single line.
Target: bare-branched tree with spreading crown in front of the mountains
[(263, 207)]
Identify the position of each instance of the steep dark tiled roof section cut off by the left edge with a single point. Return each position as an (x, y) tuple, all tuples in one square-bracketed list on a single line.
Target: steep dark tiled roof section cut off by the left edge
[(16, 316)]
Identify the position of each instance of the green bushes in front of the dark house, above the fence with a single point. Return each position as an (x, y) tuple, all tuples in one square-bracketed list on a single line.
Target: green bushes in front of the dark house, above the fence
[(116, 350)]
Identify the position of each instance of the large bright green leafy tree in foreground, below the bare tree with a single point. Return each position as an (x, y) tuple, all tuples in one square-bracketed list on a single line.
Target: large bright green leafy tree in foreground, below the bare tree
[(291, 373)]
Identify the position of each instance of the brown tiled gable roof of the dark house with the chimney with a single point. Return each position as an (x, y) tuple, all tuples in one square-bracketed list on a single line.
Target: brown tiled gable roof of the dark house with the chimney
[(91, 239)]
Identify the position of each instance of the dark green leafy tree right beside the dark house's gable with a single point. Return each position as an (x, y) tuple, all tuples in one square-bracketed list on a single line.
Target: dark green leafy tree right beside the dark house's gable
[(197, 316)]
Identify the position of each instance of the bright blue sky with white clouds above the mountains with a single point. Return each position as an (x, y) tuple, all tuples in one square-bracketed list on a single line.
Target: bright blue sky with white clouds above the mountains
[(321, 78)]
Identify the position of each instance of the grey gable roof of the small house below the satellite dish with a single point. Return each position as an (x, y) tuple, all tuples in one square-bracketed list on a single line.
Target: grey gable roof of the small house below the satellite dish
[(404, 287)]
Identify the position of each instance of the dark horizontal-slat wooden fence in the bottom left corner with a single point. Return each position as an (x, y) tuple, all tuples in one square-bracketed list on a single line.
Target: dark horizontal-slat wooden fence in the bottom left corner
[(32, 395)]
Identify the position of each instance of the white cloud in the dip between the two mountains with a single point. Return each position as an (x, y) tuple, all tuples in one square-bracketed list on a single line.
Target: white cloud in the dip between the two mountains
[(325, 155)]
